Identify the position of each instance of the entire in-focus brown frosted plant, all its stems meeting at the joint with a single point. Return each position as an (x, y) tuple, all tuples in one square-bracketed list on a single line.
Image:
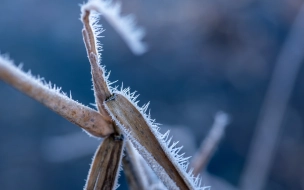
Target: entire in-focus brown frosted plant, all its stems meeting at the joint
[(120, 115)]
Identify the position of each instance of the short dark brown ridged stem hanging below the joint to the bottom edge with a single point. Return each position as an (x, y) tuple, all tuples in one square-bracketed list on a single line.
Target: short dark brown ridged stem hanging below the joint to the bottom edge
[(104, 170)]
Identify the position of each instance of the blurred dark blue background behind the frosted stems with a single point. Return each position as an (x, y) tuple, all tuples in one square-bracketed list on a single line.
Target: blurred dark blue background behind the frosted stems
[(204, 56)]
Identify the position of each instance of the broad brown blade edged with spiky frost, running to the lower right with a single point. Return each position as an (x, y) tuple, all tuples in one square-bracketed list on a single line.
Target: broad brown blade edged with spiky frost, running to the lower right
[(156, 148)]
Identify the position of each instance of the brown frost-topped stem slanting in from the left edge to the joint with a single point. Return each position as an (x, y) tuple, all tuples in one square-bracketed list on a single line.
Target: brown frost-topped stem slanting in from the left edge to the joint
[(83, 116)]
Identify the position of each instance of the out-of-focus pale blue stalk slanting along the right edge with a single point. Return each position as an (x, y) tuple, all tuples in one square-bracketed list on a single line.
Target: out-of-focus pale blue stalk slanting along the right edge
[(265, 139)]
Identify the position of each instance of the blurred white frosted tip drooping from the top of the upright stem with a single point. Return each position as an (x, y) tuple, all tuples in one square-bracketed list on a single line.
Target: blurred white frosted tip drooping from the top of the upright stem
[(124, 25)]
